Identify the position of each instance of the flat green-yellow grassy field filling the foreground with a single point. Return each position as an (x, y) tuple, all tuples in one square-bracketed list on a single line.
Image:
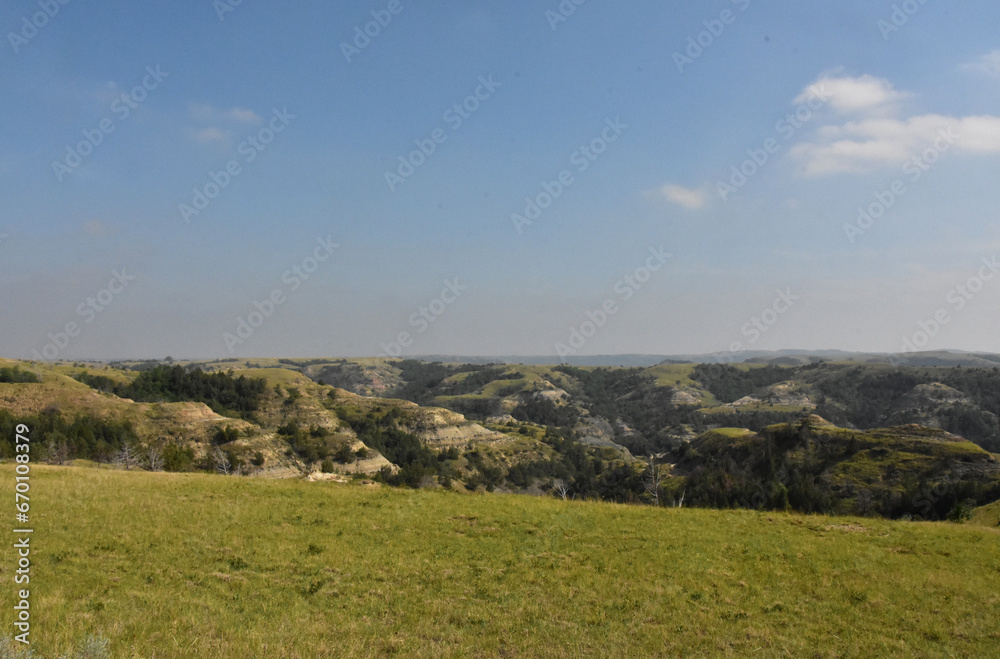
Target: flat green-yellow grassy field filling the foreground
[(183, 565)]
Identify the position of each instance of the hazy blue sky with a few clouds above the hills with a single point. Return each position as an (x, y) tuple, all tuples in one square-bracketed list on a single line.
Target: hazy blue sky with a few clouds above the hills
[(203, 179)]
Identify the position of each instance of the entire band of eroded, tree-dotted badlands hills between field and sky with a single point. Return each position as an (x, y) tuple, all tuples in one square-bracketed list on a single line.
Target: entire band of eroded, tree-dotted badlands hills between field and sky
[(750, 436)]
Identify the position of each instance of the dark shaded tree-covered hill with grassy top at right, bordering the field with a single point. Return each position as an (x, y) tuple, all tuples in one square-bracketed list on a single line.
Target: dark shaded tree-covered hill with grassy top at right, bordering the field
[(813, 466)]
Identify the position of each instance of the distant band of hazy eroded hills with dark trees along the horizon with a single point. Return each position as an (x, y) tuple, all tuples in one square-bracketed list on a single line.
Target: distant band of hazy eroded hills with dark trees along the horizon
[(653, 409)]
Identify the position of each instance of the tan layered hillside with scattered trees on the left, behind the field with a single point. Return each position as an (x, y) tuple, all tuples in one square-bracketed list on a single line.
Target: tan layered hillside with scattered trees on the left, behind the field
[(273, 422)]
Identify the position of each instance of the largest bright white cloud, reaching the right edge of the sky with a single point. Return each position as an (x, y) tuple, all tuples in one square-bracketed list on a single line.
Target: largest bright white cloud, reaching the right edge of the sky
[(877, 137)]
